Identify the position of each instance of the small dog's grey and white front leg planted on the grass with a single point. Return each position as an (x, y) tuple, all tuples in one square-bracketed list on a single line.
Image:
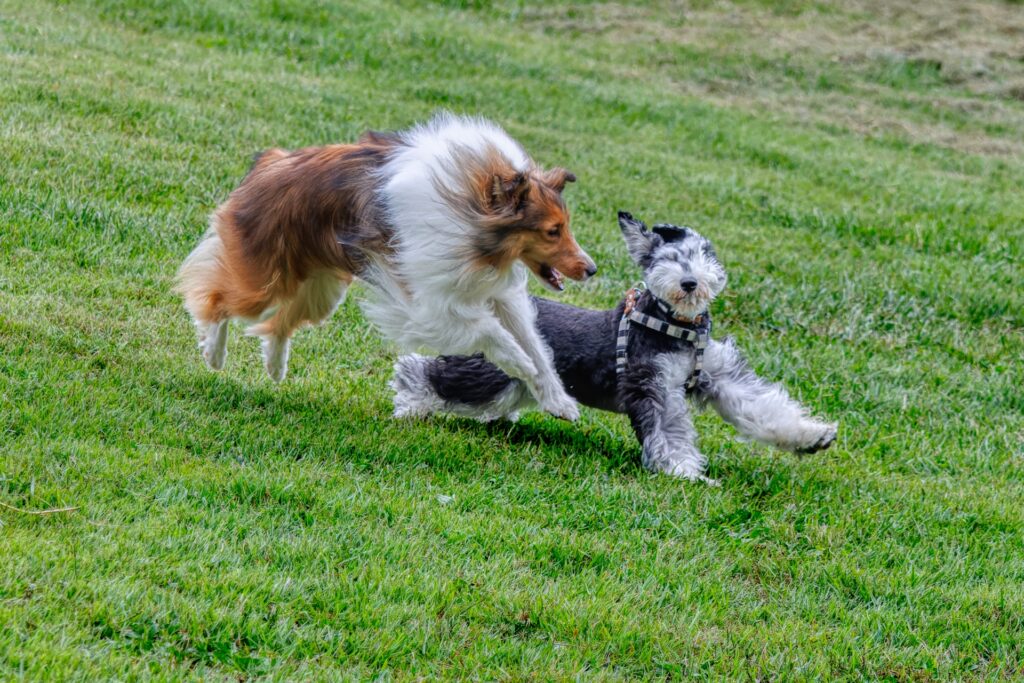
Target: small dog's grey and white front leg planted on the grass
[(663, 424)]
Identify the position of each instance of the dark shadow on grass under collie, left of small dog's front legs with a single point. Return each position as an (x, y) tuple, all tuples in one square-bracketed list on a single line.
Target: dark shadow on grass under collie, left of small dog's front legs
[(353, 424)]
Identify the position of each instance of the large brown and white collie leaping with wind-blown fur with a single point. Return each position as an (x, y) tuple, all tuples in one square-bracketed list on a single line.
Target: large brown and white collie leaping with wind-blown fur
[(443, 221)]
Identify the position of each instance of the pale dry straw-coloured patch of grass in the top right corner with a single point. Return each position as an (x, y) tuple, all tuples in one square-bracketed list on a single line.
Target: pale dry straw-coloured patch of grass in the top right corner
[(945, 73)]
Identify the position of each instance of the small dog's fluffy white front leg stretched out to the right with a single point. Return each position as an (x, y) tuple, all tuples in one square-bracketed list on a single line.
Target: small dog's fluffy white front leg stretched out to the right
[(759, 410)]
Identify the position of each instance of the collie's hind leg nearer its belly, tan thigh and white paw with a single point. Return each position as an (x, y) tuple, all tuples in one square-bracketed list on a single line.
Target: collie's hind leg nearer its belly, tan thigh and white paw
[(316, 301)]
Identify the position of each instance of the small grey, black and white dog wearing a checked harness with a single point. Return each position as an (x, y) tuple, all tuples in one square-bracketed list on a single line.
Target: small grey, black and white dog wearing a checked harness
[(645, 358)]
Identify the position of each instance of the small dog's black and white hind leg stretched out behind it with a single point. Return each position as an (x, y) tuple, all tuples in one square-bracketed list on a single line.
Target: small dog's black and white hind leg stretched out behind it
[(465, 386)]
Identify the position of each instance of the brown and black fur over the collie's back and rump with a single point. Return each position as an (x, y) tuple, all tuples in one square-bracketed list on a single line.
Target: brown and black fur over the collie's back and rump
[(294, 215)]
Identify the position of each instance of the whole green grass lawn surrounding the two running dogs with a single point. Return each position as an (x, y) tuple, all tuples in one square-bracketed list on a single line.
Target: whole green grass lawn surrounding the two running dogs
[(860, 167)]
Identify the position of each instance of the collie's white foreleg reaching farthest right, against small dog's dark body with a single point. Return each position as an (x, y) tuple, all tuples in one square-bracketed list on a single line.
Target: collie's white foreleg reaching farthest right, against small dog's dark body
[(519, 317)]
